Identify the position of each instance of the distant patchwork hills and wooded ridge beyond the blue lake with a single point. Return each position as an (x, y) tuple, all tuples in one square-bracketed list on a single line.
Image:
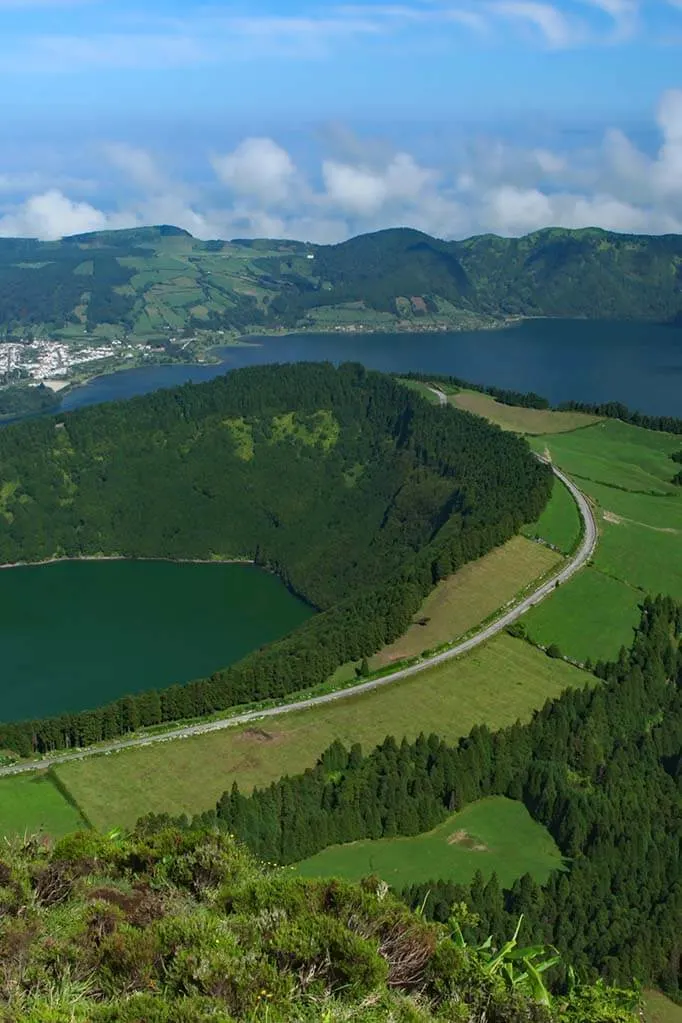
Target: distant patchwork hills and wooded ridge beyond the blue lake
[(153, 281)]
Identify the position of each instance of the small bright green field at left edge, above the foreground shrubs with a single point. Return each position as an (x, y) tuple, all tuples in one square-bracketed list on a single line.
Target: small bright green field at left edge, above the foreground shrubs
[(32, 803)]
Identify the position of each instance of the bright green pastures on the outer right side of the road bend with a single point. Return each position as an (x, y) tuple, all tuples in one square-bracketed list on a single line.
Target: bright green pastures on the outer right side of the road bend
[(626, 472)]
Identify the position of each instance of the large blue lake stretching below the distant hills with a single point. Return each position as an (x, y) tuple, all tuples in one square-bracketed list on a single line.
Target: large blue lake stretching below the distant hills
[(586, 361)]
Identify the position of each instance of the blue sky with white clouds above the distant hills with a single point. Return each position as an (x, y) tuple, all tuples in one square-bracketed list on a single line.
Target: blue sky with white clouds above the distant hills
[(326, 119)]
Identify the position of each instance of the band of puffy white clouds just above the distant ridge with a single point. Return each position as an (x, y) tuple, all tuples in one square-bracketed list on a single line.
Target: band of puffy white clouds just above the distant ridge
[(259, 190)]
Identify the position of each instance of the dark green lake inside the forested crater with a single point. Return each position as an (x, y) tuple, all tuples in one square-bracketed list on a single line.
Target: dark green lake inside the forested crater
[(77, 635)]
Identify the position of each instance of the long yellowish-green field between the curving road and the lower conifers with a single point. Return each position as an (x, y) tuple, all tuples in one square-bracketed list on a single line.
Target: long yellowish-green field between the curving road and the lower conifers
[(499, 683)]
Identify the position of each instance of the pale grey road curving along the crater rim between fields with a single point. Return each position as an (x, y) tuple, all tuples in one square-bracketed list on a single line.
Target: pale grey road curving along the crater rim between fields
[(581, 558)]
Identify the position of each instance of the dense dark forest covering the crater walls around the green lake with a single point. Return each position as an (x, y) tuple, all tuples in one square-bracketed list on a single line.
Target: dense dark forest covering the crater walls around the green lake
[(361, 500)]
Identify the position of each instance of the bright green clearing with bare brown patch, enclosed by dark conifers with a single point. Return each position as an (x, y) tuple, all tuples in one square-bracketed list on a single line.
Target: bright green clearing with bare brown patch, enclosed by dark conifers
[(494, 835)]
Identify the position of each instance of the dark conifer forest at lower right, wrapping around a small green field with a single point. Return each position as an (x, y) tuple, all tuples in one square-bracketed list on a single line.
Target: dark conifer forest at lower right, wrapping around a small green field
[(602, 768)]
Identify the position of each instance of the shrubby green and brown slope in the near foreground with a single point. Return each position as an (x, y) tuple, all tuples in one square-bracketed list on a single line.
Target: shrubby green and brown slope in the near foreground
[(166, 927)]
